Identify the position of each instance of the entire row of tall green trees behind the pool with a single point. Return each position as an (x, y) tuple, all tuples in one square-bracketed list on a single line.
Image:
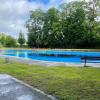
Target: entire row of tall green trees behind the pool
[(73, 25)]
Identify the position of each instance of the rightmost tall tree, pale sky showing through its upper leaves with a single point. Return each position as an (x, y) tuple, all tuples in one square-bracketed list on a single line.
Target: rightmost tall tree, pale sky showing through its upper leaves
[(91, 37)]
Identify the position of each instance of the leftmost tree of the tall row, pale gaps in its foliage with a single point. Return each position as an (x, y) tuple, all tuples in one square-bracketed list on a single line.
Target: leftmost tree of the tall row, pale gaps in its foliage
[(35, 25)]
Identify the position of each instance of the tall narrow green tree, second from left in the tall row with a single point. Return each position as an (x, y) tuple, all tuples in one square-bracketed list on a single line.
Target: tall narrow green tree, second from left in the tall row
[(51, 27)]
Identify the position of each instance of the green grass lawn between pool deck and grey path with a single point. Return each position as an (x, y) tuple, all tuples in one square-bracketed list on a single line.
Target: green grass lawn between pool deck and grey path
[(65, 83)]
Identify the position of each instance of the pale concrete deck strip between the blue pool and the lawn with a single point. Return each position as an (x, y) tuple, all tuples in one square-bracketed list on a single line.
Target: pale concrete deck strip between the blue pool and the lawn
[(49, 63)]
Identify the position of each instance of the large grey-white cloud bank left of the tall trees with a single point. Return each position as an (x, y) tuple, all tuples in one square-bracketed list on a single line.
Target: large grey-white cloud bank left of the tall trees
[(11, 15)]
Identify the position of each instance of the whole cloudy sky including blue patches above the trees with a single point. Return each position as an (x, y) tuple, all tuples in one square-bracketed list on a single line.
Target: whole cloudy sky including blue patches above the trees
[(14, 13)]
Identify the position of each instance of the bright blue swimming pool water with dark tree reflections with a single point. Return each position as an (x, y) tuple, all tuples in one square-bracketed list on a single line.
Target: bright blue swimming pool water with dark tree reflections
[(33, 54)]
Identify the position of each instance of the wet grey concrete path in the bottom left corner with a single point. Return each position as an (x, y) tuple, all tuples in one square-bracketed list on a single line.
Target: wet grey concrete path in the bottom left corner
[(13, 89)]
